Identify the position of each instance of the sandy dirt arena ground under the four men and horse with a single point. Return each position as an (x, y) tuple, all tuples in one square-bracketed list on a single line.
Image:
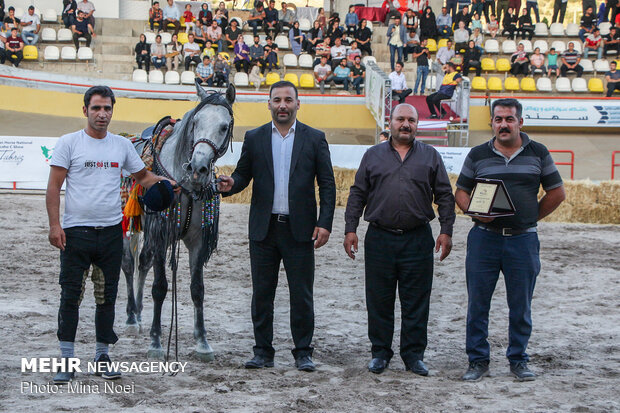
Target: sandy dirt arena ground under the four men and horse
[(575, 346)]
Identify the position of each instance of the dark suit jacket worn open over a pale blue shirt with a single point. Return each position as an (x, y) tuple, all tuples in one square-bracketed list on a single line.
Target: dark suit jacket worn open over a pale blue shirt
[(310, 159)]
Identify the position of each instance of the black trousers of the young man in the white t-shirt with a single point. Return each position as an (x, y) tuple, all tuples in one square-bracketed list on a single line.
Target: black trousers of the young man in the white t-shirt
[(104, 249)]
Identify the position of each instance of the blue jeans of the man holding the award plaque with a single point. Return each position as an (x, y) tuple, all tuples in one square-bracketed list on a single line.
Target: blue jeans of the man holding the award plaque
[(517, 257)]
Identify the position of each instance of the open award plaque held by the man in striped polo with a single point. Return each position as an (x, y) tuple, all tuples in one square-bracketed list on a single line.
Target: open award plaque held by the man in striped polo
[(490, 199)]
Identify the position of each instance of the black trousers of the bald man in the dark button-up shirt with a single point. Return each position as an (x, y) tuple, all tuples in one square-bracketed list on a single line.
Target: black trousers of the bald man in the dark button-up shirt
[(403, 262)]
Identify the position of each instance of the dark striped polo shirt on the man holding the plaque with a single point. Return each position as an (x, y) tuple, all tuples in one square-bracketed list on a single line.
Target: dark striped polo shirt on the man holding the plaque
[(523, 173)]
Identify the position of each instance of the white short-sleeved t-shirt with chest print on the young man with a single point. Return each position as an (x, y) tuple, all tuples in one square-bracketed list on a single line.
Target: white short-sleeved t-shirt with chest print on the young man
[(92, 195)]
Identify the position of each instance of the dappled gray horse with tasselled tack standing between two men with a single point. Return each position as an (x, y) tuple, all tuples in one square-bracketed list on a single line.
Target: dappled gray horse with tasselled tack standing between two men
[(187, 156)]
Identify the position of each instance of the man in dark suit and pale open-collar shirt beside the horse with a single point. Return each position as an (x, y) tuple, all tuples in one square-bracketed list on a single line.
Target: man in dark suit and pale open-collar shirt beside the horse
[(284, 157)]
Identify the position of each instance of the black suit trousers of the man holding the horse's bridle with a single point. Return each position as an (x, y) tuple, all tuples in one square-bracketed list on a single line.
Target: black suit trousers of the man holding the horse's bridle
[(298, 258)]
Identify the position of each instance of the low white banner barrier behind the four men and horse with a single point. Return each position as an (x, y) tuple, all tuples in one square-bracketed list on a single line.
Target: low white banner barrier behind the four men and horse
[(24, 161)]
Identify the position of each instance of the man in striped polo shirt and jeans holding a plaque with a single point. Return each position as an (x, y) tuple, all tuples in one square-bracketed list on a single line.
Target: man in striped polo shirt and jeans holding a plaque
[(507, 240)]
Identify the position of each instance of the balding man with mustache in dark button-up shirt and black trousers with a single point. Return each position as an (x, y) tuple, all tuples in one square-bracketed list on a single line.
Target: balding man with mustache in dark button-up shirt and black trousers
[(396, 184)]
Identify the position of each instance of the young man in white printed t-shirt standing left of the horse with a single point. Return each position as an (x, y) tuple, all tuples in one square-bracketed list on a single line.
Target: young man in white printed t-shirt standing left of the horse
[(90, 162)]
